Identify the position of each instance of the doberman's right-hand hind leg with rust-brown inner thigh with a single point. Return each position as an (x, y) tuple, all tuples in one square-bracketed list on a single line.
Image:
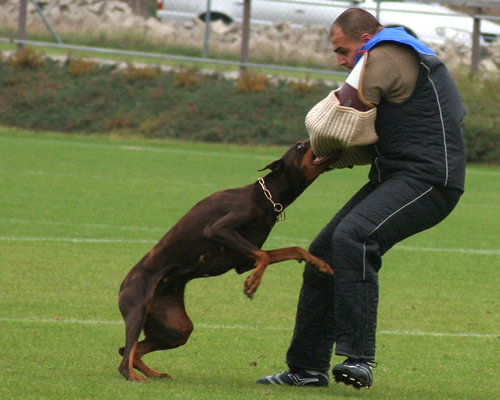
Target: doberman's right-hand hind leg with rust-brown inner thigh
[(167, 326)]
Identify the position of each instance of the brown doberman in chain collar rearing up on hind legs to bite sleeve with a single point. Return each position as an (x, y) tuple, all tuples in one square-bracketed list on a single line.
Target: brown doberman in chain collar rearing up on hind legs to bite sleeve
[(223, 231)]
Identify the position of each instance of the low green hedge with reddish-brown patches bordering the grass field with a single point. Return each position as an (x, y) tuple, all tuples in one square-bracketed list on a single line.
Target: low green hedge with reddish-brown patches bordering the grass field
[(81, 97)]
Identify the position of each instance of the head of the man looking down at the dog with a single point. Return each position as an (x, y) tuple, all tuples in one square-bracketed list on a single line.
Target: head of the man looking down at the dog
[(350, 31)]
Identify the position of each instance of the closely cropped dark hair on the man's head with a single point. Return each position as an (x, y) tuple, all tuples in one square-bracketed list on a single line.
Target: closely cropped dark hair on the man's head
[(356, 21)]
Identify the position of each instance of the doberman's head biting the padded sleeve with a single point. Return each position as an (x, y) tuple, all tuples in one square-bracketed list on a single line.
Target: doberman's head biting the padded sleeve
[(301, 158)]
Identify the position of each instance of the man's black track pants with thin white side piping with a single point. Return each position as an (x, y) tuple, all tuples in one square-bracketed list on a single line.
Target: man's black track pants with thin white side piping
[(343, 309)]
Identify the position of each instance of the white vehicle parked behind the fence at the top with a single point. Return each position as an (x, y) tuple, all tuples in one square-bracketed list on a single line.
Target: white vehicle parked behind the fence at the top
[(429, 22)]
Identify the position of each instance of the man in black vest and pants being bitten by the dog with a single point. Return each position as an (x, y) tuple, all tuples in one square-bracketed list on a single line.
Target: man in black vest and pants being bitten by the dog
[(416, 178)]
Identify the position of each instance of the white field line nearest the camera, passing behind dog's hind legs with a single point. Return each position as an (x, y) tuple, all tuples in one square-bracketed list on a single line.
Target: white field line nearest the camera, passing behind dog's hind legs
[(76, 321)]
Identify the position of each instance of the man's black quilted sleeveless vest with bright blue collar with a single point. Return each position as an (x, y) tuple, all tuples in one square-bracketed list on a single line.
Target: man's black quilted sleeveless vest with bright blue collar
[(422, 136)]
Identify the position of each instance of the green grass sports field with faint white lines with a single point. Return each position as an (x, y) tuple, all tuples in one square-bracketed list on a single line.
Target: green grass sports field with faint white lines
[(78, 212)]
